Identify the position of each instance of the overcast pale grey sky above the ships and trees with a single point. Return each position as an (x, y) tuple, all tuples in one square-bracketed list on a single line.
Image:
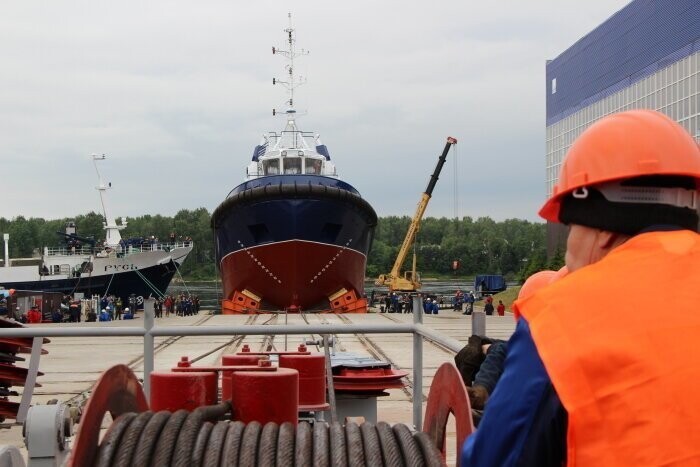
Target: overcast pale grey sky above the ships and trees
[(177, 94)]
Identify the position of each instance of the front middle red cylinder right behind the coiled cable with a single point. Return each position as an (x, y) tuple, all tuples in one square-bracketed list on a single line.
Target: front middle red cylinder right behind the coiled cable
[(266, 396)]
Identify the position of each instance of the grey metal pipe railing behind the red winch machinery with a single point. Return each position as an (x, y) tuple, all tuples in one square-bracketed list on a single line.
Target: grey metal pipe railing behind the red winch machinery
[(149, 332)]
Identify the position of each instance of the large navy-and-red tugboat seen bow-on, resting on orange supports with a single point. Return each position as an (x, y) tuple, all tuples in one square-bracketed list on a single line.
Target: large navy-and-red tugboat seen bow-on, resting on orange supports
[(293, 235)]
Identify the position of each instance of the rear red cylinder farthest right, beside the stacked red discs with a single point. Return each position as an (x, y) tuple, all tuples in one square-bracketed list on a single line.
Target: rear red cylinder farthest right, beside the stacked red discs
[(312, 379)]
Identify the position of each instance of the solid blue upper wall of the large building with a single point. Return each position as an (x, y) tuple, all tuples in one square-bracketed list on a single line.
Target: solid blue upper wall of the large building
[(636, 41)]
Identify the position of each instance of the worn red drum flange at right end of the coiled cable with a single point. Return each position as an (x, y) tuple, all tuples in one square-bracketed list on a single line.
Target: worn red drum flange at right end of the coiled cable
[(448, 396)]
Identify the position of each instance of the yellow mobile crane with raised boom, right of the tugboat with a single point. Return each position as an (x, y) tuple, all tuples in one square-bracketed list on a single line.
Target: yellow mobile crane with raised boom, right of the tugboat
[(410, 282)]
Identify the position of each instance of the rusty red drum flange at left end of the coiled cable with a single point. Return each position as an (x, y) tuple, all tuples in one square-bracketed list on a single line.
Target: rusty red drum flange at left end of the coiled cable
[(117, 391)]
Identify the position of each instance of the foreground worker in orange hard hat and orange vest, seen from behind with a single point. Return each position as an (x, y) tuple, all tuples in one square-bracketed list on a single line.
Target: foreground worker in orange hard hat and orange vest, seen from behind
[(586, 382)]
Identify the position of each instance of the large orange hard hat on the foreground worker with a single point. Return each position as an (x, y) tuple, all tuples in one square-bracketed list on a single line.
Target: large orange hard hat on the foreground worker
[(621, 146)]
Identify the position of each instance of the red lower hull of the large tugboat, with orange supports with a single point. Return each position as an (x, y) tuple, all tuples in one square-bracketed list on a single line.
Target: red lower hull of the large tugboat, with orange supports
[(294, 275)]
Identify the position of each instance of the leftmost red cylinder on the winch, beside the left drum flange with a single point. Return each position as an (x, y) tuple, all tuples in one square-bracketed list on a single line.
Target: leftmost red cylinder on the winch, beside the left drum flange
[(174, 391)]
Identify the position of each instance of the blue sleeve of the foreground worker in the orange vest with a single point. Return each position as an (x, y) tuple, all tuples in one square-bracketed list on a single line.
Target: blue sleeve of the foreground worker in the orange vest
[(524, 422)]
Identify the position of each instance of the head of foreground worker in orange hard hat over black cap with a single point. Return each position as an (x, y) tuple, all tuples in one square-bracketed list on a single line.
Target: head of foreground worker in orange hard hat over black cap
[(628, 172)]
